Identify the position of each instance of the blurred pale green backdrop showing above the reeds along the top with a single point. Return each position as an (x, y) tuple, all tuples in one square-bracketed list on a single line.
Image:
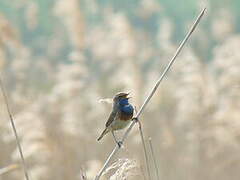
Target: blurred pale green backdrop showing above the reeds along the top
[(179, 12)]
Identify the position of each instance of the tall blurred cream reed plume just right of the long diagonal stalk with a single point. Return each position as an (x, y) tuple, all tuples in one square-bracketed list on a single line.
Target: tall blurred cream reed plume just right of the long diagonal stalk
[(189, 98)]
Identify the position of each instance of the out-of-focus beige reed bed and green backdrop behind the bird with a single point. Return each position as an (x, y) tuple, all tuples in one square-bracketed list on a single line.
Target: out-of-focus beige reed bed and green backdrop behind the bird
[(59, 57)]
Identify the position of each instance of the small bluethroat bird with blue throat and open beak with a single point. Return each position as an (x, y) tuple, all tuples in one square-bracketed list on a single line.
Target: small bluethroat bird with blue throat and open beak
[(120, 117)]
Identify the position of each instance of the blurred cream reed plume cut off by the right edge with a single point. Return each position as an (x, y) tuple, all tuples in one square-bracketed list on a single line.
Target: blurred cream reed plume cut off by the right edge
[(227, 71)]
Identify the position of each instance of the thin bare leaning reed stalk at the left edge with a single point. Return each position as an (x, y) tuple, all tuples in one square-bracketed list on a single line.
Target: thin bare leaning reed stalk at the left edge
[(14, 129)]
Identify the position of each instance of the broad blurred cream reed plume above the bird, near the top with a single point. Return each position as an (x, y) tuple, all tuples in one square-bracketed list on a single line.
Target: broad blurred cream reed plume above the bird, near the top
[(114, 48)]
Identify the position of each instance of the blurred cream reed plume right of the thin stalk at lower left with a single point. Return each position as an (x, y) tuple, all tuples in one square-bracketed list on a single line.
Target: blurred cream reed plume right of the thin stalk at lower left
[(31, 132)]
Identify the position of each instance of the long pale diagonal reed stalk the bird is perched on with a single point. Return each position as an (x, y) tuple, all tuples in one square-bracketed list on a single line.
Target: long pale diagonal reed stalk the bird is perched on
[(135, 119)]
